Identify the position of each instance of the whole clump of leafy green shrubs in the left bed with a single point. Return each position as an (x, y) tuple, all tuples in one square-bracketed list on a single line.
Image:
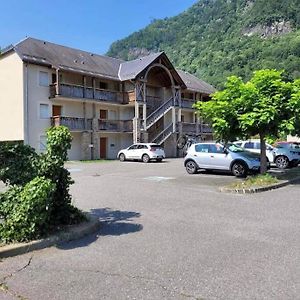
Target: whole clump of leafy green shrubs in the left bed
[(40, 199)]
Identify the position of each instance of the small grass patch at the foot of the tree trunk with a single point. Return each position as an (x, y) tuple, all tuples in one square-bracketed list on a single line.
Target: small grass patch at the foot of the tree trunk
[(254, 182)]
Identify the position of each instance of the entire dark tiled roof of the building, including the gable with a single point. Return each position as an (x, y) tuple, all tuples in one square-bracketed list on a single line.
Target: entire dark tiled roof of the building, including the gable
[(45, 53)]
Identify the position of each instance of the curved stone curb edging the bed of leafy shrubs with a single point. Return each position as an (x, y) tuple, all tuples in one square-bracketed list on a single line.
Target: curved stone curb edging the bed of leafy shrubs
[(73, 233)]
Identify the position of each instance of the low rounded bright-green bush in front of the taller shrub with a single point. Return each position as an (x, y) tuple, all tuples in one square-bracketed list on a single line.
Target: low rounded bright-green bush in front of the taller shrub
[(26, 211)]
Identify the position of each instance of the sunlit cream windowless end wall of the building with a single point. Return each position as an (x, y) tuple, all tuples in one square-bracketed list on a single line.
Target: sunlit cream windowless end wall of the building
[(11, 99)]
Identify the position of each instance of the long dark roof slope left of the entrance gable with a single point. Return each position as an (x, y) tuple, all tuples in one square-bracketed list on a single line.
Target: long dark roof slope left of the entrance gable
[(40, 52)]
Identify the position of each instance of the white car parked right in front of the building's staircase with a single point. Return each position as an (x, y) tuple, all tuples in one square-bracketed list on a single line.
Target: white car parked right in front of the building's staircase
[(142, 151)]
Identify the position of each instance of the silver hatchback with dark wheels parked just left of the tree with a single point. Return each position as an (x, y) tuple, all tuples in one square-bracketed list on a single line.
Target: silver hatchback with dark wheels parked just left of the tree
[(215, 156)]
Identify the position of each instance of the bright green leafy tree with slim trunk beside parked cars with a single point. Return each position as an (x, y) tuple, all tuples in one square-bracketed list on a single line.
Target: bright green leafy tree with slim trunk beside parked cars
[(267, 105)]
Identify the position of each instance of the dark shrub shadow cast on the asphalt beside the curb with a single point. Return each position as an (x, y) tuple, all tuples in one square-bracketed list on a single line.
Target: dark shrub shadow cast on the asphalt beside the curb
[(113, 222)]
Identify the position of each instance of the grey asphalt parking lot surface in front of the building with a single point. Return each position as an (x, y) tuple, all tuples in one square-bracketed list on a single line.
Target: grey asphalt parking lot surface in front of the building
[(167, 235)]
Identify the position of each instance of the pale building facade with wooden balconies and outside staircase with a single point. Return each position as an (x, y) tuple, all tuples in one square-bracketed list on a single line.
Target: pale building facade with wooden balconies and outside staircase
[(35, 97)]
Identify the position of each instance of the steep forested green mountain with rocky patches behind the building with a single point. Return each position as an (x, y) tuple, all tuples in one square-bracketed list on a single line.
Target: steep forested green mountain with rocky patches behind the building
[(217, 38)]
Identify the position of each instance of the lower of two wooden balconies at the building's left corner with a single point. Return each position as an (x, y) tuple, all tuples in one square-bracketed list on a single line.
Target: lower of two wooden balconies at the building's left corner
[(74, 124)]
